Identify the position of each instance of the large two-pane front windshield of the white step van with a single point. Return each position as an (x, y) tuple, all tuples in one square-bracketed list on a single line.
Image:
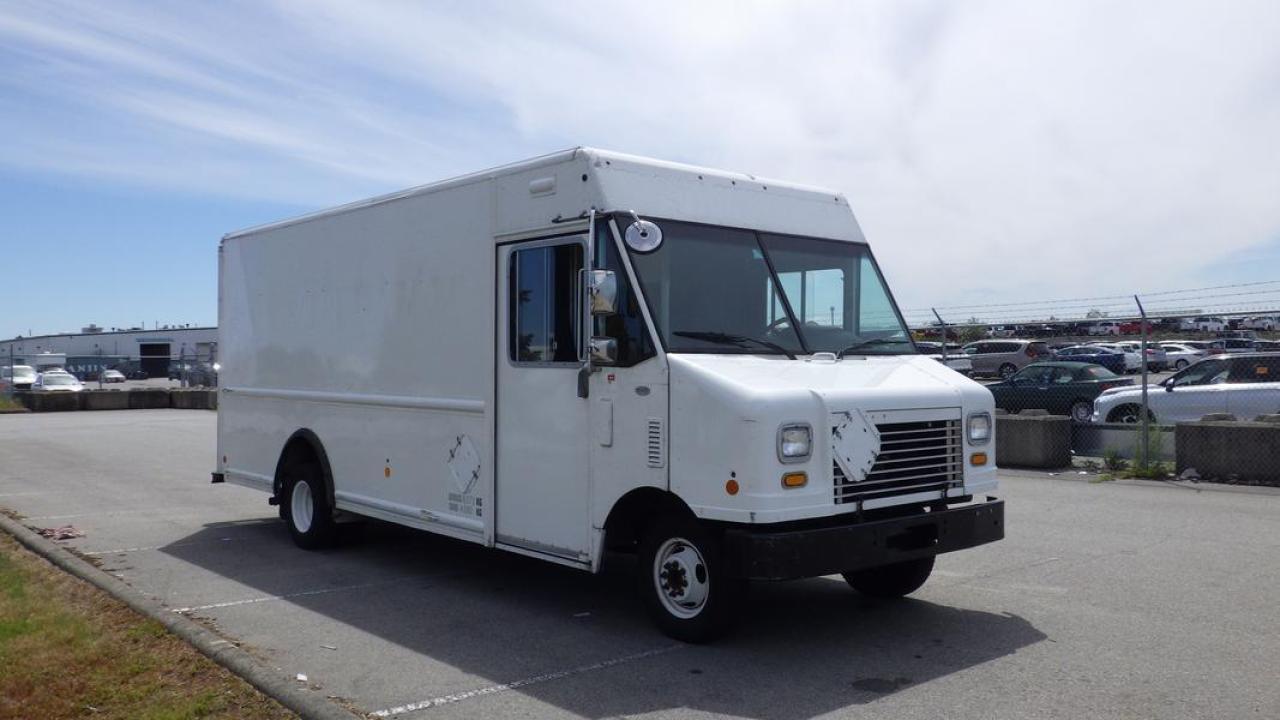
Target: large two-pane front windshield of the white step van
[(726, 290)]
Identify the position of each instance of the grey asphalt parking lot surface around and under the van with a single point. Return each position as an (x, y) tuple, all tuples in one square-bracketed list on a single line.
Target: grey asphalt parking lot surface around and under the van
[(1107, 600)]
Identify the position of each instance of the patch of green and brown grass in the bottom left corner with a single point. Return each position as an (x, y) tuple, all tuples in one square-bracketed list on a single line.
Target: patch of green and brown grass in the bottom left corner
[(68, 650)]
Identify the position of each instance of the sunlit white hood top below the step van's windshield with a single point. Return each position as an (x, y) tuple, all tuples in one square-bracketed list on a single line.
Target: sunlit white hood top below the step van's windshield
[(866, 382)]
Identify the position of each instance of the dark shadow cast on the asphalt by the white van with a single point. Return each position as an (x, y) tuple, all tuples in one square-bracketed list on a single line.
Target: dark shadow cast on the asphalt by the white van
[(804, 648)]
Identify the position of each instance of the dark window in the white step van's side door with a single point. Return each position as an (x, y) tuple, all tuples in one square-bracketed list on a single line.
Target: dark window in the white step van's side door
[(546, 304)]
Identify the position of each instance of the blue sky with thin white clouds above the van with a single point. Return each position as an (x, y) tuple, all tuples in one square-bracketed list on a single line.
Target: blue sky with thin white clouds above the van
[(994, 152)]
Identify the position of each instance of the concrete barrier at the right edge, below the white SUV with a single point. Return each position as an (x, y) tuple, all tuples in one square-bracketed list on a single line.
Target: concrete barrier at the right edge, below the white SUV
[(1245, 450)]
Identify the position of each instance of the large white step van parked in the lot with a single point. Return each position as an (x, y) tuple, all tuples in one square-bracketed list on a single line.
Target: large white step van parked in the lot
[(595, 352)]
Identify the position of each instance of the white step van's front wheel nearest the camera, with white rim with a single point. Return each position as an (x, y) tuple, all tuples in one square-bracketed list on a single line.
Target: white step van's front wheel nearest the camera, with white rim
[(684, 585)]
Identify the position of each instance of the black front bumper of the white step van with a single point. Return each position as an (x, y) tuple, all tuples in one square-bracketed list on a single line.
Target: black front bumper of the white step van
[(781, 555)]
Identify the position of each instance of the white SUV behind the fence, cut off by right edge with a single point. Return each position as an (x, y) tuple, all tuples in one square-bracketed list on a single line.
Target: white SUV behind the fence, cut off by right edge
[(1245, 386)]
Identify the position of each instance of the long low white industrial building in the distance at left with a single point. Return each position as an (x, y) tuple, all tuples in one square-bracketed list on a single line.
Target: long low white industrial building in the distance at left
[(94, 349)]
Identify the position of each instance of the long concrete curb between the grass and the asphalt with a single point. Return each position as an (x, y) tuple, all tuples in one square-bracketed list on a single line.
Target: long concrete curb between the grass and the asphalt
[(220, 650)]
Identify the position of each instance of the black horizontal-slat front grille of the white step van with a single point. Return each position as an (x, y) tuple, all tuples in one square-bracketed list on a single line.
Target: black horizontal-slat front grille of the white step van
[(915, 458)]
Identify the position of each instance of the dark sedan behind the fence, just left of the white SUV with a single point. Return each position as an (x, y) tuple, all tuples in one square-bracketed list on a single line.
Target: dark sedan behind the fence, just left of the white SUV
[(1063, 389)]
